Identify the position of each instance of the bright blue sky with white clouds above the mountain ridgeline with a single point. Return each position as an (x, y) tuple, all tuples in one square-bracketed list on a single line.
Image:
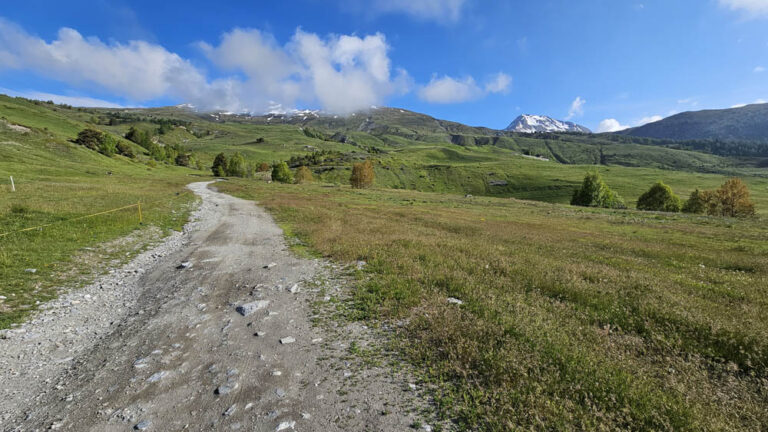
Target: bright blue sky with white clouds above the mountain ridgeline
[(602, 63)]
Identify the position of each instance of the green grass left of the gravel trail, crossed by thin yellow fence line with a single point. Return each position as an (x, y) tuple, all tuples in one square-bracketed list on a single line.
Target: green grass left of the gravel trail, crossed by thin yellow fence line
[(56, 181)]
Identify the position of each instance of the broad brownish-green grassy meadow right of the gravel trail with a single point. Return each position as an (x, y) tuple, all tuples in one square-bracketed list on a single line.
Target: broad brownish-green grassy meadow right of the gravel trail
[(573, 319)]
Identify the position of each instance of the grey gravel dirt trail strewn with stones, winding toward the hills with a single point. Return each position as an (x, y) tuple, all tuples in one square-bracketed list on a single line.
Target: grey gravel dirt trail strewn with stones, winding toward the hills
[(179, 356)]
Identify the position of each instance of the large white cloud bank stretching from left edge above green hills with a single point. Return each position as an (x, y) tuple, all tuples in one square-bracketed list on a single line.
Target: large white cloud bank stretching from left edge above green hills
[(341, 74)]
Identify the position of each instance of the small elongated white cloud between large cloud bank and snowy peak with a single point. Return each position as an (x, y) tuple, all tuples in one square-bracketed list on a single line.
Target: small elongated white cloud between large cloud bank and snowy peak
[(446, 89)]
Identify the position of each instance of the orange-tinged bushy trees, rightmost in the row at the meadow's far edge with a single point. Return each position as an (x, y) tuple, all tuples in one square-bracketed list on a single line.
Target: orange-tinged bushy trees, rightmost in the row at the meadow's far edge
[(731, 200)]
